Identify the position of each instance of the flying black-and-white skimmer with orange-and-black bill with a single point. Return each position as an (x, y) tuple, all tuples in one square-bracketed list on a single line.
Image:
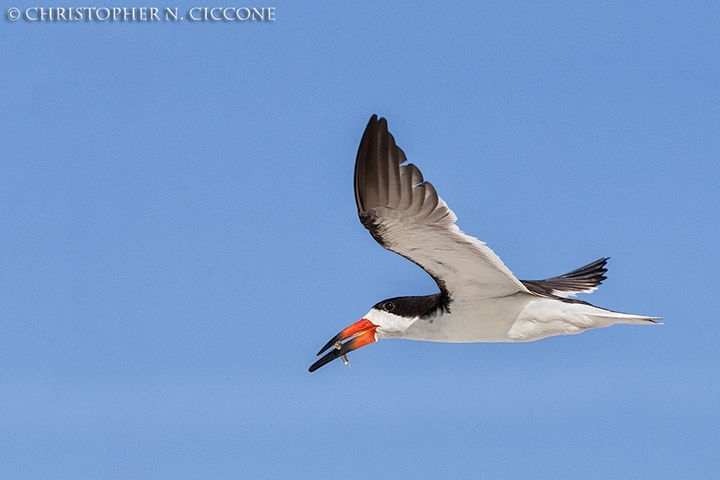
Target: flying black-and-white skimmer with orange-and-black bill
[(480, 300)]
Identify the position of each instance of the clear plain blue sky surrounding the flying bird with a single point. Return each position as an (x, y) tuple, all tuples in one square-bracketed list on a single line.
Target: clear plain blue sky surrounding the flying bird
[(178, 238)]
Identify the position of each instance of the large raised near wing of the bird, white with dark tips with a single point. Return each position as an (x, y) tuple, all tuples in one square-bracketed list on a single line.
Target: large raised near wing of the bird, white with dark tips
[(405, 215)]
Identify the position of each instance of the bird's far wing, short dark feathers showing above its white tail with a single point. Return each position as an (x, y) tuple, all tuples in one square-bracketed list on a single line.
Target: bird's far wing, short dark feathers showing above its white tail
[(583, 280)]
